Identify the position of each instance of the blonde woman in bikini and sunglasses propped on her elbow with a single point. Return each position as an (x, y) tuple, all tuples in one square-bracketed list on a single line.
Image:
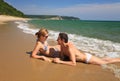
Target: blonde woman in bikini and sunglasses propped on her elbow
[(42, 47)]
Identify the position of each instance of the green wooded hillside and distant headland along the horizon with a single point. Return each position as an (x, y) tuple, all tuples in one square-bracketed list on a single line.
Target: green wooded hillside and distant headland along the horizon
[(7, 9)]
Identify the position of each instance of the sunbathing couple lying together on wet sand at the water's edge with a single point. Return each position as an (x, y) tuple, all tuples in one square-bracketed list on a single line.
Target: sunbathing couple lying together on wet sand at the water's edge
[(64, 50)]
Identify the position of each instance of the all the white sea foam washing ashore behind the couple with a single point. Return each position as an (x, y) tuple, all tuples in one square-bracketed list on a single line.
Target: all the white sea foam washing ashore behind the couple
[(100, 48)]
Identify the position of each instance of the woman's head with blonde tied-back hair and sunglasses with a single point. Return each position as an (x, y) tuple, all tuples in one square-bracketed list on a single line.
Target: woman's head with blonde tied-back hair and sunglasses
[(42, 34)]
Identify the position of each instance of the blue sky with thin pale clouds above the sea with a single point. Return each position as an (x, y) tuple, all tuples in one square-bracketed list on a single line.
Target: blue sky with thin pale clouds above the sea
[(84, 9)]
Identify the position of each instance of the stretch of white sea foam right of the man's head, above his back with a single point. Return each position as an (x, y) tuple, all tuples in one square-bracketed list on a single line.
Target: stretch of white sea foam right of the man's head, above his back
[(97, 47)]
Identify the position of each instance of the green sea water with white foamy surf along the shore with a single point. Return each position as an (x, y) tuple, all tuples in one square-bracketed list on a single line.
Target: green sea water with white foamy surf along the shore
[(101, 38)]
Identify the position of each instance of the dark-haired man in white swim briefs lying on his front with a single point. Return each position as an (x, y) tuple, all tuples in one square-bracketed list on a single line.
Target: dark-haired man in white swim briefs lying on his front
[(69, 50)]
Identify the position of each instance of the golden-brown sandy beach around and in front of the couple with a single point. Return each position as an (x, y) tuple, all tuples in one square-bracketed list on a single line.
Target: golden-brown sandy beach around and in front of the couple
[(17, 65)]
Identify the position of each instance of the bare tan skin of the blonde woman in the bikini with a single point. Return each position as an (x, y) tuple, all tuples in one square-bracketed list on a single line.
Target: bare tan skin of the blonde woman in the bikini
[(39, 47)]
